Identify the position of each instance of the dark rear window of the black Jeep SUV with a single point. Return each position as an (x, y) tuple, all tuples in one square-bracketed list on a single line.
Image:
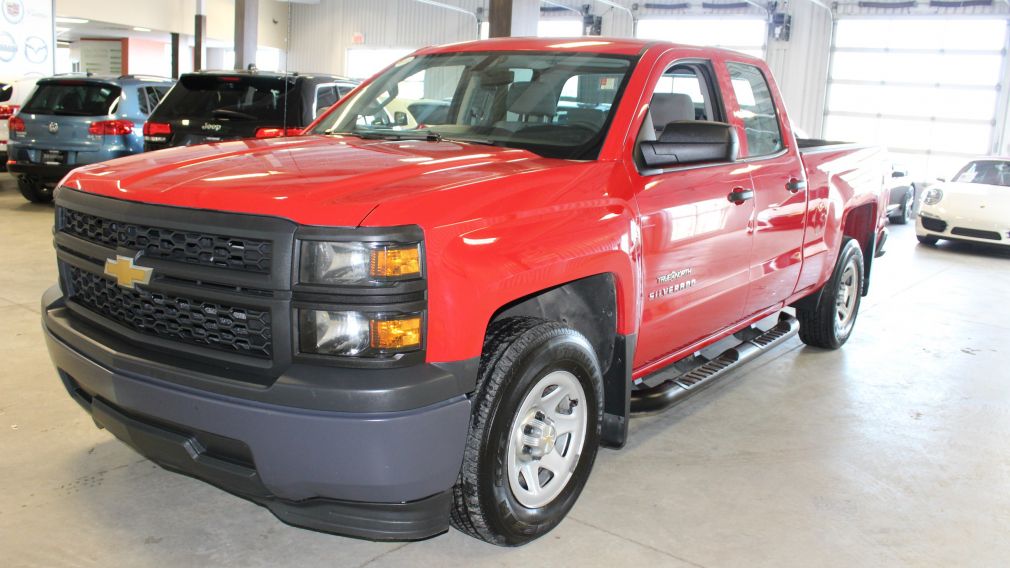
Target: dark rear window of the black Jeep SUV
[(231, 99)]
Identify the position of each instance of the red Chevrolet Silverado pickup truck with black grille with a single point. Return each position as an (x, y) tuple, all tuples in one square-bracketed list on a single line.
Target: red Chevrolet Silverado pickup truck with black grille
[(435, 306)]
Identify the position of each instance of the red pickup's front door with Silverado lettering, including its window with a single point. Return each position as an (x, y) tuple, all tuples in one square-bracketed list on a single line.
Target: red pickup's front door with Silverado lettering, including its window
[(696, 239)]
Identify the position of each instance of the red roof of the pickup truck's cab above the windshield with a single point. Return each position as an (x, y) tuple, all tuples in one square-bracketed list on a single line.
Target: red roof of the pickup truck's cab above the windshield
[(587, 45)]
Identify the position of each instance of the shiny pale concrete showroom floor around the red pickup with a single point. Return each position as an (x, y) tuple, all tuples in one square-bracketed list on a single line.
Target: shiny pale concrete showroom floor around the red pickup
[(894, 451)]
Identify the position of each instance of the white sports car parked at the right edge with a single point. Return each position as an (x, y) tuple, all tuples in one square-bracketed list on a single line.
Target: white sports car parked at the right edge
[(975, 206)]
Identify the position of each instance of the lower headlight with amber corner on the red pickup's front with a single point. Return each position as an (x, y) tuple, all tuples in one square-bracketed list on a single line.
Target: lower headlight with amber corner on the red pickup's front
[(353, 334)]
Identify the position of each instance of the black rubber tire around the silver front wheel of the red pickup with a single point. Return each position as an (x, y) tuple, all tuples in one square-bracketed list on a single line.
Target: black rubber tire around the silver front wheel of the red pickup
[(519, 354)]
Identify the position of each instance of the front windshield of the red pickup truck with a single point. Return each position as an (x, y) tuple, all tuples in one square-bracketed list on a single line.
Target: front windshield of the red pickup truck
[(558, 106)]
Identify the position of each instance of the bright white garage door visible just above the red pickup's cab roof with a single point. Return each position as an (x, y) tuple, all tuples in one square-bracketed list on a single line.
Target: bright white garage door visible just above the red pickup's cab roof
[(745, 35)]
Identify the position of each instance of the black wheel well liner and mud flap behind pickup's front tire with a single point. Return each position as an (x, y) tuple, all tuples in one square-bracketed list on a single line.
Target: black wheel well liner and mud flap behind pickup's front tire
[(589, 306)]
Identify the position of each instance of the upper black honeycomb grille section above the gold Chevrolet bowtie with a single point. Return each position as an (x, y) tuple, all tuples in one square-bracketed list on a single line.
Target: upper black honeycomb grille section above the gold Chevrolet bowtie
[(245, 254)]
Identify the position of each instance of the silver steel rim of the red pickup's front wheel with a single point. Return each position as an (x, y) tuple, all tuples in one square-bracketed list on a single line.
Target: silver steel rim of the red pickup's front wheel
[(547, 439)]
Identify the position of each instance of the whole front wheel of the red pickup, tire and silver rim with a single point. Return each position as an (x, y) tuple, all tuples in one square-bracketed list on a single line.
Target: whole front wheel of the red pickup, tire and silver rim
[(535, 432)]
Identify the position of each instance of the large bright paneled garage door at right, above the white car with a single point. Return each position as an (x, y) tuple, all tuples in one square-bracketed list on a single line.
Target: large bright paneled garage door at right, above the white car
[(928, 89)]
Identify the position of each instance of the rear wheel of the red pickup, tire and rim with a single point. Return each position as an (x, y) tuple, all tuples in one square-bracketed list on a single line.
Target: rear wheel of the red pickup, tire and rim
[(821, 326)]
